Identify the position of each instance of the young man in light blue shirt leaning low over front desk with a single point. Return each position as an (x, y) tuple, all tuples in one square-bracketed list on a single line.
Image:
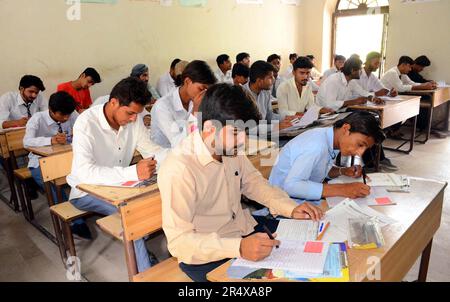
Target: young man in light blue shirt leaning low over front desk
[(307, 161)]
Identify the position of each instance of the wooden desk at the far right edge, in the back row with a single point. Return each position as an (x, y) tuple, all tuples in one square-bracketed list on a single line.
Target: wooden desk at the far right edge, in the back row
[(438, 97)]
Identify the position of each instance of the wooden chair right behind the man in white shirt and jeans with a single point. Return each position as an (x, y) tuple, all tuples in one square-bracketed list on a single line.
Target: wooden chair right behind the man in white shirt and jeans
[(54, 170)]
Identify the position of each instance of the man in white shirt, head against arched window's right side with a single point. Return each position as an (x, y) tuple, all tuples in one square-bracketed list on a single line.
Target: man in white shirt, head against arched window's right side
[(369, 81)]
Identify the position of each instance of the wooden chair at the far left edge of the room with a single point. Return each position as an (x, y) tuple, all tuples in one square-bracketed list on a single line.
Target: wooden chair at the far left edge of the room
[(14, 141)]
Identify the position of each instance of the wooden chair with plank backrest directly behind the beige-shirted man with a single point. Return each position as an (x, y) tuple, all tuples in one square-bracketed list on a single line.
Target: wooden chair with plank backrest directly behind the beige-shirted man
[(140, 218)]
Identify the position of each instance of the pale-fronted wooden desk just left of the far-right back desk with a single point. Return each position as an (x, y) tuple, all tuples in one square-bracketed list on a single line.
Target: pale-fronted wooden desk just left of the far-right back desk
[(394, 112)]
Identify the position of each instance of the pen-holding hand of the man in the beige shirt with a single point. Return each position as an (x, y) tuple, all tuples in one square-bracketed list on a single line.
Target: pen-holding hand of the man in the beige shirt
[(257, 247)]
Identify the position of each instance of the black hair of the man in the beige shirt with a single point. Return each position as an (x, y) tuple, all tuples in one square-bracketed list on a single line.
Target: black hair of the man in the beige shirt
[(225, 102)]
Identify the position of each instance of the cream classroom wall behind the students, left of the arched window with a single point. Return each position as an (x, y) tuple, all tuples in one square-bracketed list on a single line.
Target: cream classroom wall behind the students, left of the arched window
[(38, 39)]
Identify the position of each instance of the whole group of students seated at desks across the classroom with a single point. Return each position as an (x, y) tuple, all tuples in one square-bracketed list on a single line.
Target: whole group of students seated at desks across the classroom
[(192, 129)]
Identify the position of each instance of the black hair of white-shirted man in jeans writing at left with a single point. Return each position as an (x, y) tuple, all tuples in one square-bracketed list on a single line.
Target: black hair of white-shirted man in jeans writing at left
[(130, 90)]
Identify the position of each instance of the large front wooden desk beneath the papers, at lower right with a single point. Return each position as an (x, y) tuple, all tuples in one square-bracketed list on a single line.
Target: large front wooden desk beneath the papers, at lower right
[(419, 216)]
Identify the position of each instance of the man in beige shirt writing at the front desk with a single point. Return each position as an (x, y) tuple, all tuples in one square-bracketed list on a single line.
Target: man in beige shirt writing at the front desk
[(201, 183)]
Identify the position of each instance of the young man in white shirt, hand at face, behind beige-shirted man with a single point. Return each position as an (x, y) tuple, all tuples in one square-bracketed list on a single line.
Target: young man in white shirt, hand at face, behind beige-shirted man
[(172, 115)]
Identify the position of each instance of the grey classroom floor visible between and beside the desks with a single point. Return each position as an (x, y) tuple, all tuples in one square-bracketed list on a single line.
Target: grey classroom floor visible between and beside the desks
[(27, 255)]
